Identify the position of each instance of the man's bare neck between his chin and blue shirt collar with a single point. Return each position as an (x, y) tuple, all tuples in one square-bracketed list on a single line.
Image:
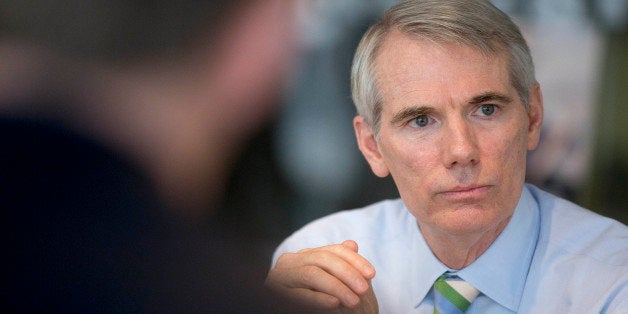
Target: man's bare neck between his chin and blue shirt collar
[(458, 251)]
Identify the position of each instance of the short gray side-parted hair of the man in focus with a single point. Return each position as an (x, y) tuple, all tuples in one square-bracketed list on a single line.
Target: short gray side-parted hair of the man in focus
[(474, 23)]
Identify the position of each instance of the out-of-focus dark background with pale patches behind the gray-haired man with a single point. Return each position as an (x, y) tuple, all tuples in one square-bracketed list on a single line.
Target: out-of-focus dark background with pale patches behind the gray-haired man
[(305, 164)]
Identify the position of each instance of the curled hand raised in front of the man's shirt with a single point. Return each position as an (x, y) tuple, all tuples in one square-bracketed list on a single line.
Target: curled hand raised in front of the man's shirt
[(325, 278)]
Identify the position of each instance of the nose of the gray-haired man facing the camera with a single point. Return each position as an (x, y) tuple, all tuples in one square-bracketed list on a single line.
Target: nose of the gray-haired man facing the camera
[(460, 146)]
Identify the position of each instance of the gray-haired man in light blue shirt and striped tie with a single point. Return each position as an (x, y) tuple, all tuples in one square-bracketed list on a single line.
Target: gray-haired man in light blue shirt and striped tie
[(448, 106)]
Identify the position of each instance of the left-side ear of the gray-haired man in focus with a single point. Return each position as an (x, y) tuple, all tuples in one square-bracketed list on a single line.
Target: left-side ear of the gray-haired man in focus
[(369, 146)]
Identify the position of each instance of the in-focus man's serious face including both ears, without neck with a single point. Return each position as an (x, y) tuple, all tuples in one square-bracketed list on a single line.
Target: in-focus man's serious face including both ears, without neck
[(454, 133)]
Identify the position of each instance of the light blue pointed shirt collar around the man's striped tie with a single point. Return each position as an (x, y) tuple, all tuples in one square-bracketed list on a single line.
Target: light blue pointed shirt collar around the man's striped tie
[(500, 272)]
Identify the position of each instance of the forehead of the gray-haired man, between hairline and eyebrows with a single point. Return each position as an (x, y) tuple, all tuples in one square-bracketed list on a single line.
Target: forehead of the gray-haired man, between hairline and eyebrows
[(411, 69)]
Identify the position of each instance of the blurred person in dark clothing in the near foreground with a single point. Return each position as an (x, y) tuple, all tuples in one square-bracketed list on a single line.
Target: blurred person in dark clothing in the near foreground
[(118, 124)]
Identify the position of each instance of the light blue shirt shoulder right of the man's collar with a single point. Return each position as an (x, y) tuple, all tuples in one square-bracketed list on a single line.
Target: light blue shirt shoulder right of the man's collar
[(577, 247)]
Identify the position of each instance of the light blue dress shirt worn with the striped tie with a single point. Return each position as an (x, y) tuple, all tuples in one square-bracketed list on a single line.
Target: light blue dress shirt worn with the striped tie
[(553, 257)]
